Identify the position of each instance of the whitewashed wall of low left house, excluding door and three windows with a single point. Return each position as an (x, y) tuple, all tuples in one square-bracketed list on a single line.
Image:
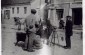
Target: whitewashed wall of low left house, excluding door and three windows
[(21, 11)]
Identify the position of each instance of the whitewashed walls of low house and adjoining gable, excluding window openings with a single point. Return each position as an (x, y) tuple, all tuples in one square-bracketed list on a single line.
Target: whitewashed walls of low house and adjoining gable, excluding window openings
[(37, 4)]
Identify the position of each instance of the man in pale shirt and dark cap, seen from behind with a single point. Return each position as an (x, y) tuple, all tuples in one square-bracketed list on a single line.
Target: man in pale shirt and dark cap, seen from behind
[(30, 30)]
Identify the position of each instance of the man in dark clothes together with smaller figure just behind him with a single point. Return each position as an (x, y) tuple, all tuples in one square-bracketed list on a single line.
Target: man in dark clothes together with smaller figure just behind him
[(68, 30)]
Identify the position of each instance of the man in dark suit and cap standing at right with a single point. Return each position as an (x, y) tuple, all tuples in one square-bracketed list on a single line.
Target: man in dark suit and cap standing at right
[(68, 32)]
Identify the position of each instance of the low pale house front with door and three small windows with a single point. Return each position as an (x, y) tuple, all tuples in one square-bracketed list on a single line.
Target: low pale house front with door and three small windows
[(19, 10)]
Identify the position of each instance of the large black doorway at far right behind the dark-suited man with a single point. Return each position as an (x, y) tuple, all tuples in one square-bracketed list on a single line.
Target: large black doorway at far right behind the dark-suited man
[(77, 16)]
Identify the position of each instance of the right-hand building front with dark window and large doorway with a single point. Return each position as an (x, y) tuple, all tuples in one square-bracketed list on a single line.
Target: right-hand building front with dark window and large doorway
[(59, 9)]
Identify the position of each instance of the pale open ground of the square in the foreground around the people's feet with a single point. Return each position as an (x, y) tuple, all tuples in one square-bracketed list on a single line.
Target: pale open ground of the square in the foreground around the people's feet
[(9, 37)]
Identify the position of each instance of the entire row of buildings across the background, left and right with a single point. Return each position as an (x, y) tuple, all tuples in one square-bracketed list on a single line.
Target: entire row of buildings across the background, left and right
[(54, 10)]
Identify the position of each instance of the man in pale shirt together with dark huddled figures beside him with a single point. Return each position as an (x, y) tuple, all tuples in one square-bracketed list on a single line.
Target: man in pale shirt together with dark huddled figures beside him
[(35, 30)]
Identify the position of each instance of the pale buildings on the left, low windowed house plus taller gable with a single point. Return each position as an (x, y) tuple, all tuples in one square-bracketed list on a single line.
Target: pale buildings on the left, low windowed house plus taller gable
[(22, 8)]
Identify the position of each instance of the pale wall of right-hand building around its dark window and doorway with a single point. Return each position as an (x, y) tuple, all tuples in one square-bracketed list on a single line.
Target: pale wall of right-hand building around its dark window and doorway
[(67, 5)]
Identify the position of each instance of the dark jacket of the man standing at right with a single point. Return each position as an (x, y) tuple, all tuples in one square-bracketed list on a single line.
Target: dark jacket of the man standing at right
[(69, 27)]
